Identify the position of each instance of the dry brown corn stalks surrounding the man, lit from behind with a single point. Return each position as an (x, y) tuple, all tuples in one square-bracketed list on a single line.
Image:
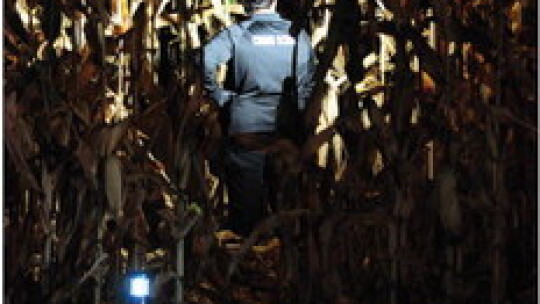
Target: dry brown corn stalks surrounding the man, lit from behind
[(415, 181)]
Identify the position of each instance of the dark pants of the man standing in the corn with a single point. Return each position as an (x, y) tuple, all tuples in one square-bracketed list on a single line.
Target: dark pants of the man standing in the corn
[(244, 177)]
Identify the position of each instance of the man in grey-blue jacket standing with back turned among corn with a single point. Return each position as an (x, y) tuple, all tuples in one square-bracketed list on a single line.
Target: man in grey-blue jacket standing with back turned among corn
[(265, 57)]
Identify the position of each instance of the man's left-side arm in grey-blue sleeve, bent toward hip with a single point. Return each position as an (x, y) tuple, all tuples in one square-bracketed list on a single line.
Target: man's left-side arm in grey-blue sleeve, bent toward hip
[(216, 52)]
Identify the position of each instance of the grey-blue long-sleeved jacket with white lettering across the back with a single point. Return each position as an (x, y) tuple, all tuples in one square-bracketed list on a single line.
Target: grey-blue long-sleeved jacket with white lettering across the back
[(261, 51)]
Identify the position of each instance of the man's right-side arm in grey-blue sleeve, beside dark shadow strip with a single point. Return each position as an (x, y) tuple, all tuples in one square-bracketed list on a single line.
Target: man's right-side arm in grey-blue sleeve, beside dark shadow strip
[(306, 70)]
